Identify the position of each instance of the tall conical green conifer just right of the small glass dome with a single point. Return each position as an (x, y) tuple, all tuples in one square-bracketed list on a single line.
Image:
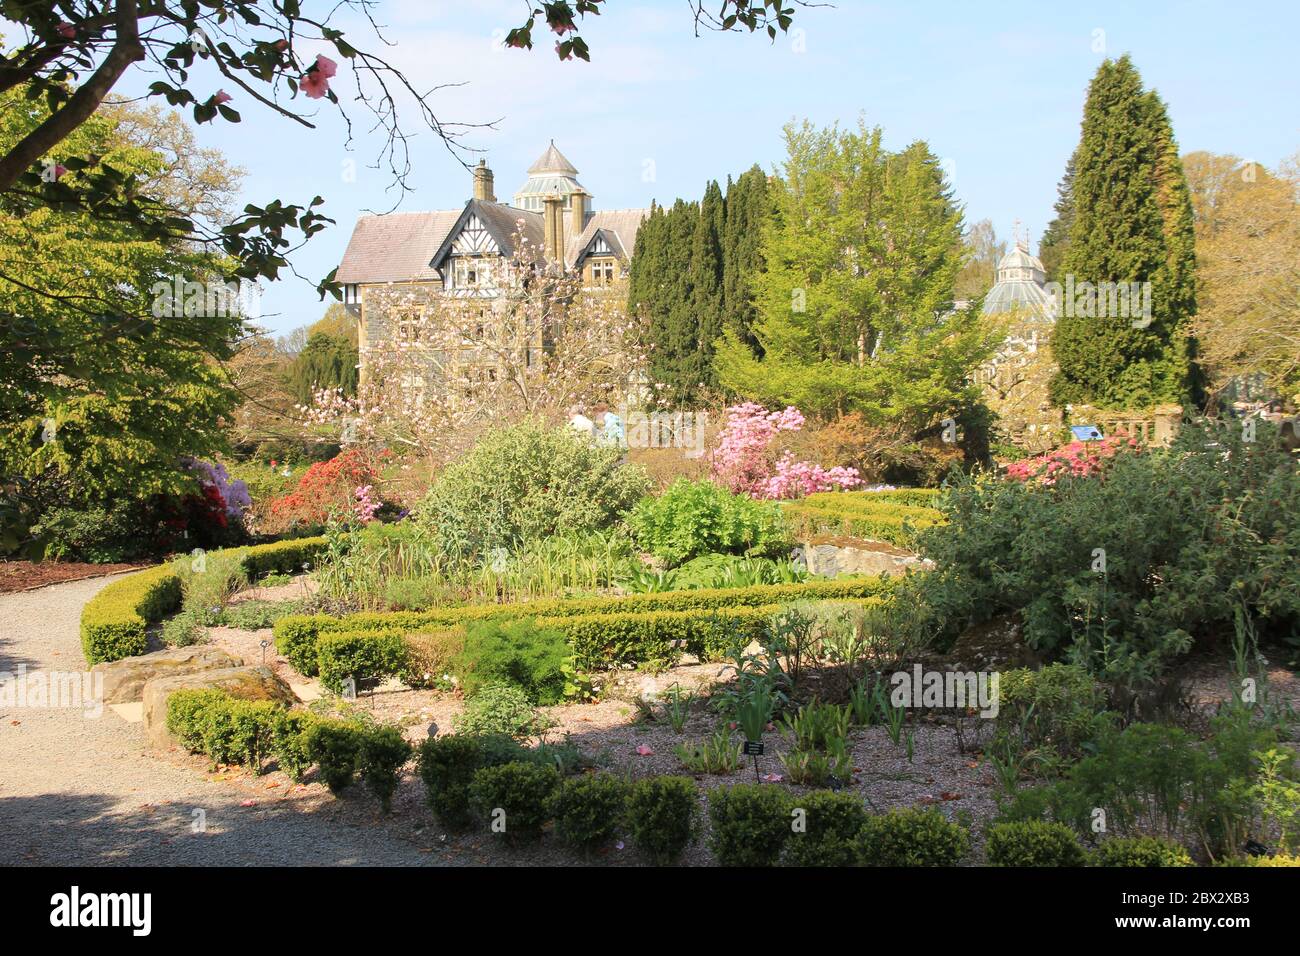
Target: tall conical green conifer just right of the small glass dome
[(1133, 223)]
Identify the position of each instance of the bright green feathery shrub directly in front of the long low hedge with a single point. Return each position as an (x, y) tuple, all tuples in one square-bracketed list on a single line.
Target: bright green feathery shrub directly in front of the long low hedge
[(519, 654)]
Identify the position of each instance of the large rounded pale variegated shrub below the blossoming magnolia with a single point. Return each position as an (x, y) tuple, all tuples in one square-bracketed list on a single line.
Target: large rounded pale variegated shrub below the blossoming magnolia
[(523, 485)]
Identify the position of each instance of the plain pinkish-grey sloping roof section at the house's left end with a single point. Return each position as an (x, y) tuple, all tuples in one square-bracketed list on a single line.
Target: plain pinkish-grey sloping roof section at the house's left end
[(395, 248)]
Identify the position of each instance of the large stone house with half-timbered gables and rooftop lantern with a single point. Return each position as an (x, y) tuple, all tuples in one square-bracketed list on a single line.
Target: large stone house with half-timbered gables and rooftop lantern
[(402, 270)]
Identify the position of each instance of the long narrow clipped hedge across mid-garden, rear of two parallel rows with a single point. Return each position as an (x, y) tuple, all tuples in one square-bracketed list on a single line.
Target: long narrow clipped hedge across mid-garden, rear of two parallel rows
[(297, 634)]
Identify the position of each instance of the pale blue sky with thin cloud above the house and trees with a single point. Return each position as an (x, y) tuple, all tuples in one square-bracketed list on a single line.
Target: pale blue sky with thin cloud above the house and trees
[(996, 89)]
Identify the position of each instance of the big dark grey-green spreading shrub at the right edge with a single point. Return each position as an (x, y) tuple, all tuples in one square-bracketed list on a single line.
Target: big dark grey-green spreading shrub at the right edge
[(1193, 537)]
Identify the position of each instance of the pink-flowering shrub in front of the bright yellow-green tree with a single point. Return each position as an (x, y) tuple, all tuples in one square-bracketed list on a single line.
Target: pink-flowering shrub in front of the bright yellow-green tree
[(747, 461)]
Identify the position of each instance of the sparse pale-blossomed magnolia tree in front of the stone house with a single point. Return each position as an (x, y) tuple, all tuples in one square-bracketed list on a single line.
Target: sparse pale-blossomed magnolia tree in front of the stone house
[(453, 367)]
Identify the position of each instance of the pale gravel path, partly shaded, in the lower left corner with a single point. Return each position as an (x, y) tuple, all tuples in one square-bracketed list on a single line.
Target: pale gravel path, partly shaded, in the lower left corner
[(83, 790)]
